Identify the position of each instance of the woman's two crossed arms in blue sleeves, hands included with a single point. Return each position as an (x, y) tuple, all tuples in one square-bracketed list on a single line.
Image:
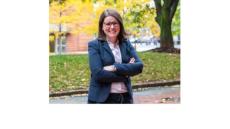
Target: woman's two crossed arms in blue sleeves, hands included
[(115, 72)]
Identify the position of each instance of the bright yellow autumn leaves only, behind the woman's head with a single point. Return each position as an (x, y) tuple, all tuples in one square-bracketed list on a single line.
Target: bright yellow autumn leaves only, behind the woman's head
[(82, 16)]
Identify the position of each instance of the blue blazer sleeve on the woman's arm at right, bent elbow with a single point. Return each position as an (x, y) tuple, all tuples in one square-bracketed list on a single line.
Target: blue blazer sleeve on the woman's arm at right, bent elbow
[(130, 69)]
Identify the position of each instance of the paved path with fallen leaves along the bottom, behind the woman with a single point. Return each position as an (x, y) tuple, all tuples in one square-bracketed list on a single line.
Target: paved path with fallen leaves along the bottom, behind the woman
[(153, 95)]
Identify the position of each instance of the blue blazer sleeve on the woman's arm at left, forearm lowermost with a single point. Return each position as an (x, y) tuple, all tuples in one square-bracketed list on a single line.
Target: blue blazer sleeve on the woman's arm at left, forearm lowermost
[(96, 66)]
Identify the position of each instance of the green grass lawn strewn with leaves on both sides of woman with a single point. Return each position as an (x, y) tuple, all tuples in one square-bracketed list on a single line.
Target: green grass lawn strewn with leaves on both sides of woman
[(67, 72)]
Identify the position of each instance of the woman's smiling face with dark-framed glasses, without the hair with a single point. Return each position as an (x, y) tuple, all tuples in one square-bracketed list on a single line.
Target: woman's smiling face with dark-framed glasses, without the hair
[(111, 27)]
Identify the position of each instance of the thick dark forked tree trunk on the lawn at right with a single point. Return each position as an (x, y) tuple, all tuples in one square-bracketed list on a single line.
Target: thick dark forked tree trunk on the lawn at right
[(165, 13)]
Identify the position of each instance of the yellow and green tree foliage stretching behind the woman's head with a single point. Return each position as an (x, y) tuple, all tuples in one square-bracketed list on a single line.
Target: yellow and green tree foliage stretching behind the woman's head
[(83, 15)]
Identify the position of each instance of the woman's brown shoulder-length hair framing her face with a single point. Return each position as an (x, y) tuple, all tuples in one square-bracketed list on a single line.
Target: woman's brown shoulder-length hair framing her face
[(111, 12)]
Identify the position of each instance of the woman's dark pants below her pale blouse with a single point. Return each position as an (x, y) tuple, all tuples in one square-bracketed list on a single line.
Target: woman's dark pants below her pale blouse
[(116, 98)]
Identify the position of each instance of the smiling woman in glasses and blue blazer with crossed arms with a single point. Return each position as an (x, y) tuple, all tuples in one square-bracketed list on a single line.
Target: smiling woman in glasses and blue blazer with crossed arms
[(112, 61)]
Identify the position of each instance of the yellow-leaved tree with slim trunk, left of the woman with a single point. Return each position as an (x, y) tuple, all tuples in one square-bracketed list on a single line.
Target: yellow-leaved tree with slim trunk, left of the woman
[(68, 16)]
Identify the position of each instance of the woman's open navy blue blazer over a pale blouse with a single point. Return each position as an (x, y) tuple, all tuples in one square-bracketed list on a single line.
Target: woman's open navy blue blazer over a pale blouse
[(100, 55)]
